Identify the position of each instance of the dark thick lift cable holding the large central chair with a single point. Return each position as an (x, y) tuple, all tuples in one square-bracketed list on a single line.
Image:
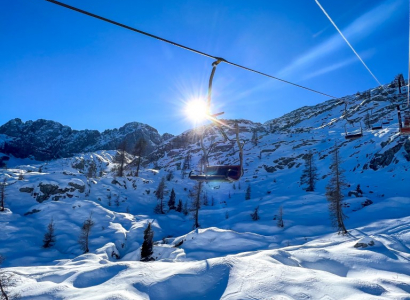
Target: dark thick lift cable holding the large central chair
[(184, 47)]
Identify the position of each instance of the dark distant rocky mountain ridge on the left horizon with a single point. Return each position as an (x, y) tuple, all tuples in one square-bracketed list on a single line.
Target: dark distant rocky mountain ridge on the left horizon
[(45, 140)]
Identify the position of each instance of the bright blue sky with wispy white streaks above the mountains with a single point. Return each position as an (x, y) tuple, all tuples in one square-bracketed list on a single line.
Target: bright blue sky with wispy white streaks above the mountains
[(60, 65)]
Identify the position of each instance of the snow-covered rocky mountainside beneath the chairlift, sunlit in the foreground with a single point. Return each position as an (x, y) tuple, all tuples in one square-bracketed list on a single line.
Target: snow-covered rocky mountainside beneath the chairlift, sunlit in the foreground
[(231, 256)]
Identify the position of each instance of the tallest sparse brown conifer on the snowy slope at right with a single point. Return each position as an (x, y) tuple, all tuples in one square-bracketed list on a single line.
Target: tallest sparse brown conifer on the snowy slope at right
[(334, 192)]
